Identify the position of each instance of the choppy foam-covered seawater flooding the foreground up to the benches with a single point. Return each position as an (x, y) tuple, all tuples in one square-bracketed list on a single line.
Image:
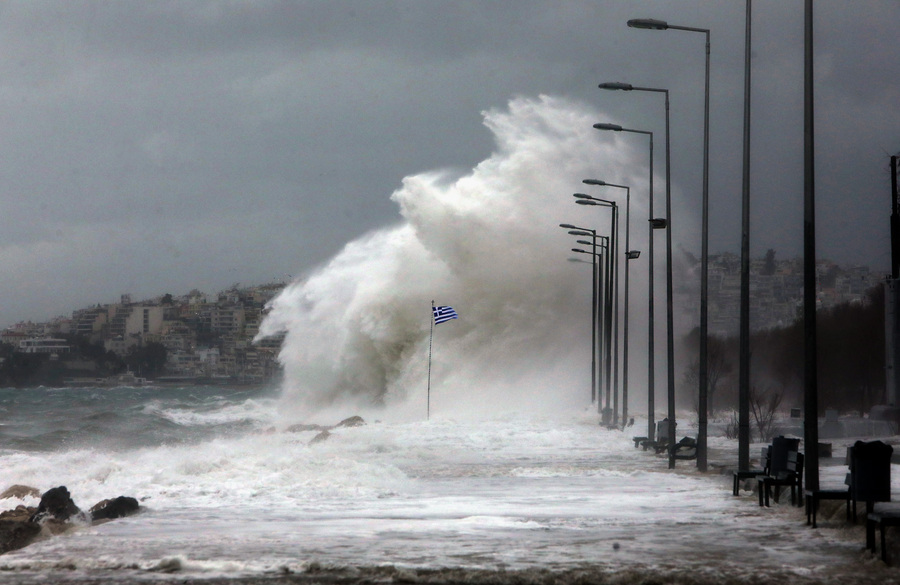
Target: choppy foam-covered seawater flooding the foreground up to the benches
[(228, 493)]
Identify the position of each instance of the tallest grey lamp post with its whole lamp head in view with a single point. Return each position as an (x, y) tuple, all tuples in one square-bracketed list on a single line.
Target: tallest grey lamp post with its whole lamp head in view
[(651, 24)]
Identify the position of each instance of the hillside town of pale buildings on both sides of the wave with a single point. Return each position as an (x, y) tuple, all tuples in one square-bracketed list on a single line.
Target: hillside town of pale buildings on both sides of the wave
[(199, 338)]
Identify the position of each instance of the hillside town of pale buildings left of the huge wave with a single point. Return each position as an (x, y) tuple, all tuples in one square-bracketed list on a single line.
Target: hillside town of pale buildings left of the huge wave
[(194, 338)]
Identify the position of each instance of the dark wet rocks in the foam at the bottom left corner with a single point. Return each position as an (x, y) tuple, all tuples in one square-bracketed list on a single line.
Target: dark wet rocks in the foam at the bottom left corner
[(56, 513)]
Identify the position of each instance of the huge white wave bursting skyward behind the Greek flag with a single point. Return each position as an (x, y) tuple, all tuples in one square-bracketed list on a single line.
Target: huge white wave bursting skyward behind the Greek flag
[(488, 244)]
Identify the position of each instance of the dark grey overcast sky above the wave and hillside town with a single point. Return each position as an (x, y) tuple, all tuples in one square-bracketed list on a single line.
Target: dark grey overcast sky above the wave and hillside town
[(154, 147)]
